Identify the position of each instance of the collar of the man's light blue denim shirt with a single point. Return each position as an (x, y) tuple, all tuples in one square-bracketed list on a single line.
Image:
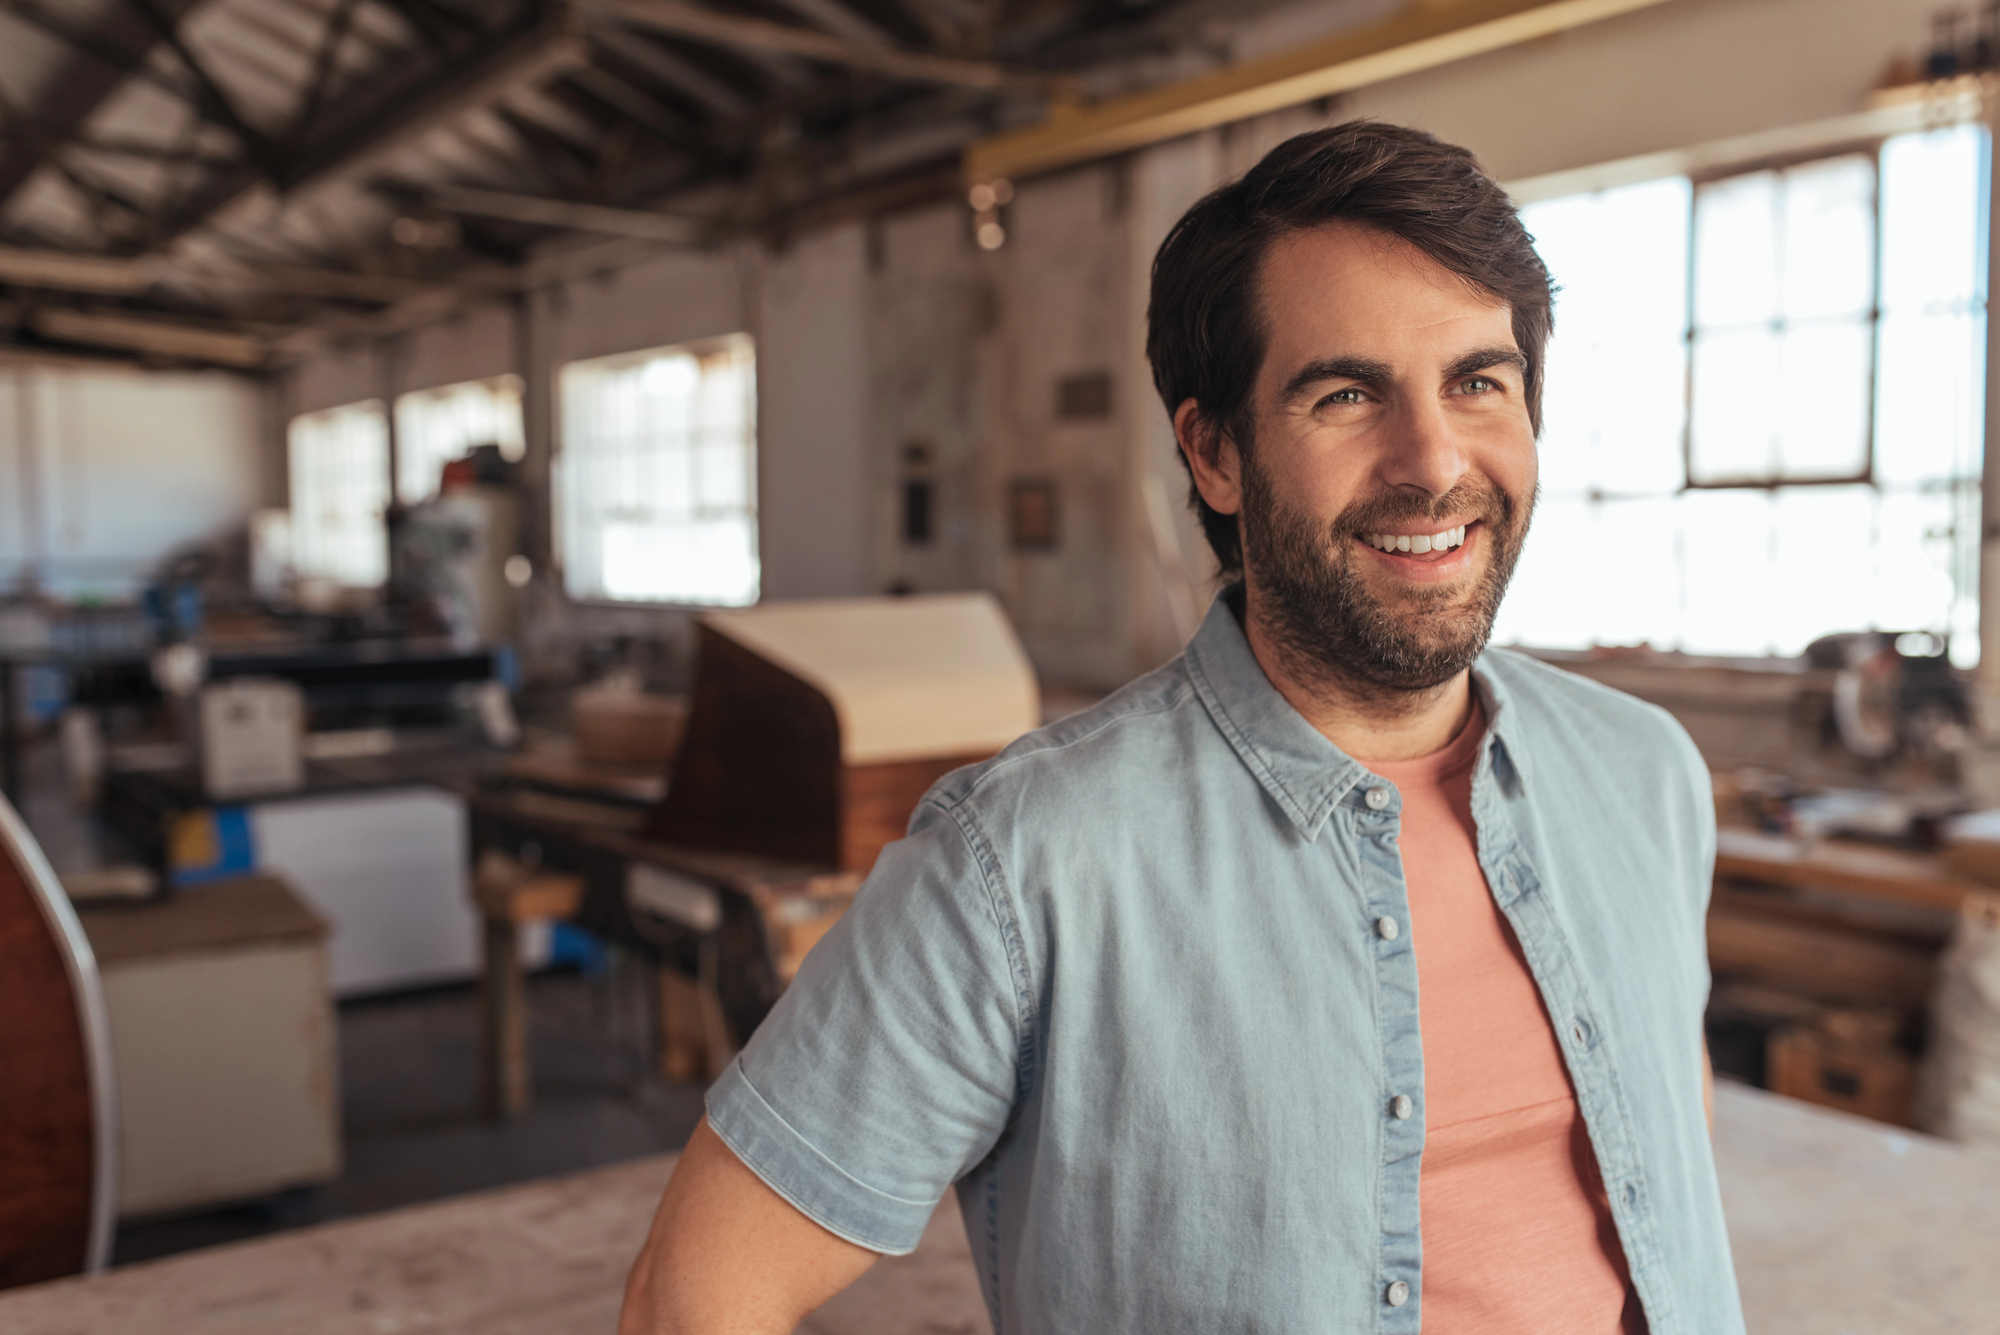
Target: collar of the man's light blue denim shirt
[(1293, 760)]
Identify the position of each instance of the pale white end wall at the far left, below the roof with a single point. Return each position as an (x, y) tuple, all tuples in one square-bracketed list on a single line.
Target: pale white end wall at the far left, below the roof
[(105, 471)]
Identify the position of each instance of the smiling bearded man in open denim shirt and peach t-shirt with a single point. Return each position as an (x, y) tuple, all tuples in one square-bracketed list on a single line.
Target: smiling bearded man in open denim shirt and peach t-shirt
[(1335, 976)]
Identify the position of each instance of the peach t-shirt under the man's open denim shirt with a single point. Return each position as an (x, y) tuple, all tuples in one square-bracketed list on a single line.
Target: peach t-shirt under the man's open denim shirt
[(1519, 1232)]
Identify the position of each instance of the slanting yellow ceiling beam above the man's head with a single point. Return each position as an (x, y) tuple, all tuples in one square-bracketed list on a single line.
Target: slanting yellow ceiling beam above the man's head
[(1423, 37)]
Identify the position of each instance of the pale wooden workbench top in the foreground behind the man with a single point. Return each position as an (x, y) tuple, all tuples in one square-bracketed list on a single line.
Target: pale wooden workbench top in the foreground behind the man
[(1837, 1226)]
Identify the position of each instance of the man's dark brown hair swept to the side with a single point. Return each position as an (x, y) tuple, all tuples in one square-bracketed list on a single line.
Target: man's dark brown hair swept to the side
[(1205, 331)]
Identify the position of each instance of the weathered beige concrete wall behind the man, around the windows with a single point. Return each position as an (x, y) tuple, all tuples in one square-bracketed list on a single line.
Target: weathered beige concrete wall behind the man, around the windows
[(901, 335)]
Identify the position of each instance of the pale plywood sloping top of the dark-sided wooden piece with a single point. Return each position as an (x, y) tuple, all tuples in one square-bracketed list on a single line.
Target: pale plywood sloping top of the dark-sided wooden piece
[(911, 678)]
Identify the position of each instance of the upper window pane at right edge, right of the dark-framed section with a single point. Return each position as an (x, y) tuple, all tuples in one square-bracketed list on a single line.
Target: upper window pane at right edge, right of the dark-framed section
[(1933, 219)]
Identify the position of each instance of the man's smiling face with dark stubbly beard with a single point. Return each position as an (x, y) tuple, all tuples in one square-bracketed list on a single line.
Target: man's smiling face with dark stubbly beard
[(1391, 475)]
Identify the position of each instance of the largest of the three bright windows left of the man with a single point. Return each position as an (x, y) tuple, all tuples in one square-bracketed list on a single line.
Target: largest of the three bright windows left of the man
[(657, 475)]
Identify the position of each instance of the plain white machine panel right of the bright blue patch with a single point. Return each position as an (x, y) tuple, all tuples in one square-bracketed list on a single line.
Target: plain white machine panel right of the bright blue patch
[(389, 870)]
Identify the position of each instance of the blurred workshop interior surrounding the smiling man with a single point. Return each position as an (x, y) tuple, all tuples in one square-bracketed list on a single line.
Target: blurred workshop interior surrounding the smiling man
[(509, 505)]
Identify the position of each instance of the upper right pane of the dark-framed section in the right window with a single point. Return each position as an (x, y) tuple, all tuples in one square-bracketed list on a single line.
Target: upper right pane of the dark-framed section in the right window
[(1829, 239)]
